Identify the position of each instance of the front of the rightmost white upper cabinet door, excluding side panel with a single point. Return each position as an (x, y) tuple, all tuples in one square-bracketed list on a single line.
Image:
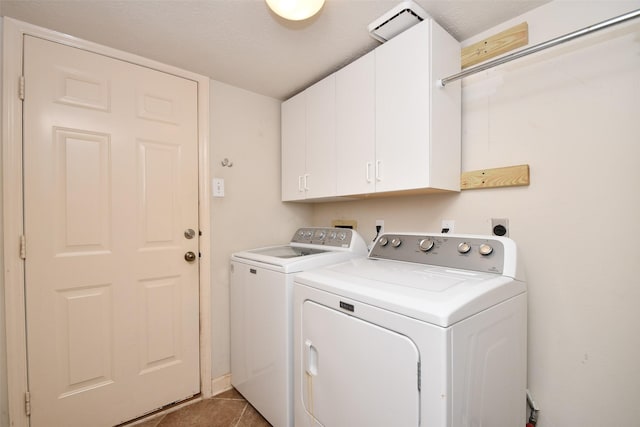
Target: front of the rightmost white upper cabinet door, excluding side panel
[(403, 84)]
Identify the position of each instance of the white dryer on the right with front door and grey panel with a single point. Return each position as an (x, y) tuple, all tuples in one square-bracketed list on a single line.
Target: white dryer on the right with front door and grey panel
[(428, 330)]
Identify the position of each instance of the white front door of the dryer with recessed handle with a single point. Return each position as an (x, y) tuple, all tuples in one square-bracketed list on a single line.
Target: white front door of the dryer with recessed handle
[(356, 373)]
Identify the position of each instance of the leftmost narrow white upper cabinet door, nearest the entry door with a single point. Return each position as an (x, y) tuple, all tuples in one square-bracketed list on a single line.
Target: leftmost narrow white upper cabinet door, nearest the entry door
[(293, 147)]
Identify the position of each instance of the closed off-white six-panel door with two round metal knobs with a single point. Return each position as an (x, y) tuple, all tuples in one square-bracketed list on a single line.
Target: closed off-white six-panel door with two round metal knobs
[(110, 185)]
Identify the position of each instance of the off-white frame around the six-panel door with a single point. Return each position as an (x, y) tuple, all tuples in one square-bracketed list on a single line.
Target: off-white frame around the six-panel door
[(13, 214)]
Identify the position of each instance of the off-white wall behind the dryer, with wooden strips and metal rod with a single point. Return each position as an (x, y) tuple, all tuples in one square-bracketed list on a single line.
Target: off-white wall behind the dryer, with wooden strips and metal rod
[(573, 115)]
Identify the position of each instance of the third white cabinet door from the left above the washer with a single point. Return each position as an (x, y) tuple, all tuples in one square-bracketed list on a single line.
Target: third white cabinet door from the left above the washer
[(355, 127)]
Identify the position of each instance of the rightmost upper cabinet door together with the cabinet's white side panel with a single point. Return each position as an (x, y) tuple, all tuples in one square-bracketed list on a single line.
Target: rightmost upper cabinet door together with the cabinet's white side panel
[(417, 124)]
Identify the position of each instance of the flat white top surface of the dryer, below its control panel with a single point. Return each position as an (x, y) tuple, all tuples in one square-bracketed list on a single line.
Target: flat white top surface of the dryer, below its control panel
[(438, 295)]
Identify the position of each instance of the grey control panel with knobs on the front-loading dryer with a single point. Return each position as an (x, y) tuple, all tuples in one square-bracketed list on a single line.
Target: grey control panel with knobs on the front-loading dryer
[(468, 252)]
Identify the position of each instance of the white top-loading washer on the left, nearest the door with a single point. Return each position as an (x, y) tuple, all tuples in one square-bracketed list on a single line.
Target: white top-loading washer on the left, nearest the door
[(261, 313)]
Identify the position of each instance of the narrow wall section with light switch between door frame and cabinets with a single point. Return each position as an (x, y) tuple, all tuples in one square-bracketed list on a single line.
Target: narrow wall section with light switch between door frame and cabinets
[(245, 128)]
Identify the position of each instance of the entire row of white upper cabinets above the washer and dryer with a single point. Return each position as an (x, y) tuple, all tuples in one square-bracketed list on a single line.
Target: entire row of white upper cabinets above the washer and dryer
[(381, 124)]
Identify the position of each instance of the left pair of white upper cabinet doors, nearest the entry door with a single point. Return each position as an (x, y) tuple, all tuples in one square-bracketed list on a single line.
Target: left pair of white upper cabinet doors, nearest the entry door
[(308, 143)]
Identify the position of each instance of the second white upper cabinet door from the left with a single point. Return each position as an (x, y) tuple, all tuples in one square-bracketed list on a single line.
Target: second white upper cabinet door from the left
[(320, 178)]
